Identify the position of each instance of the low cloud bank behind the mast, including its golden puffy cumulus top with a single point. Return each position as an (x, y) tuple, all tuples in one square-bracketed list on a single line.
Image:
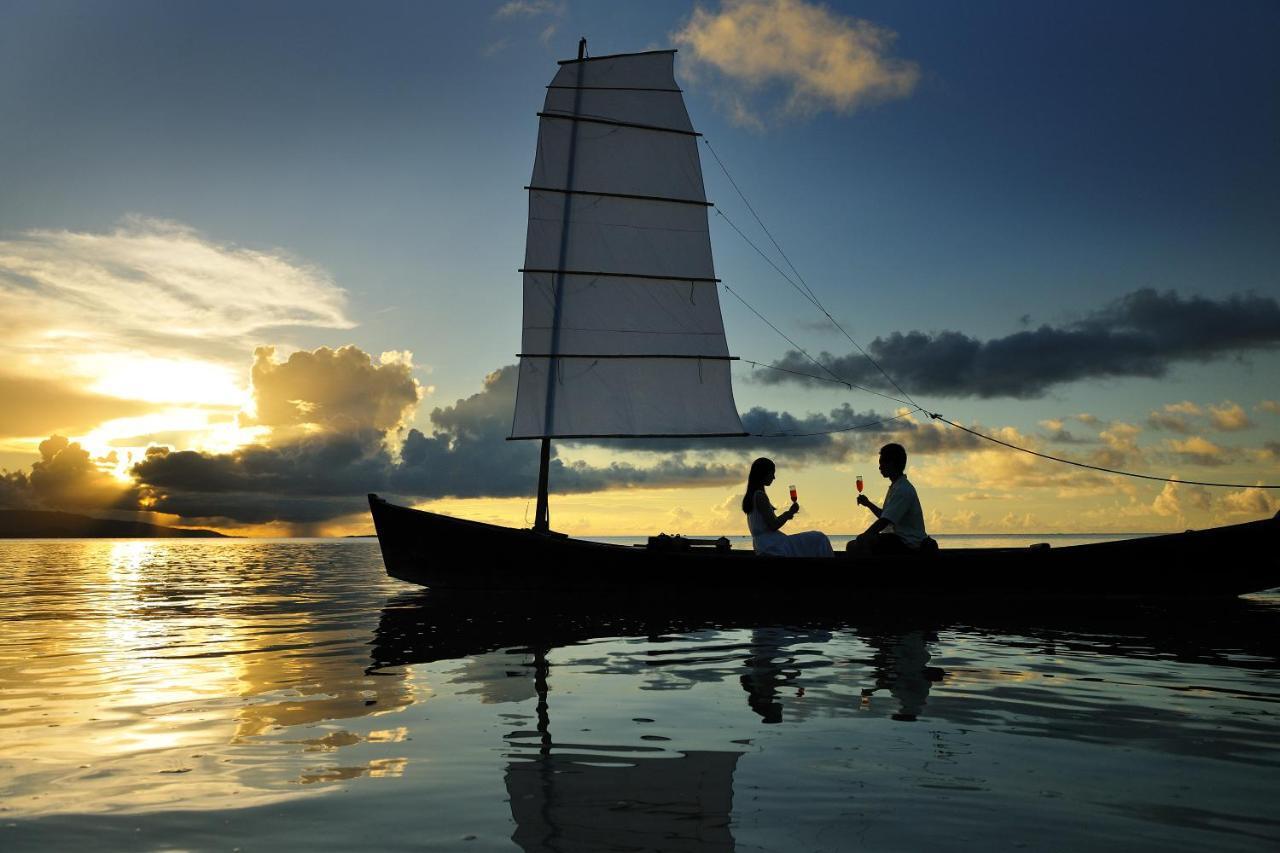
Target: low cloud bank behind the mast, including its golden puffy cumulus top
[(335, 419)]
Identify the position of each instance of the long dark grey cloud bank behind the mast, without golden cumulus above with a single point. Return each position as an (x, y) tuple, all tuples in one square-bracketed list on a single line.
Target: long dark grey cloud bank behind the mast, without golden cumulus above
[(322, 476)]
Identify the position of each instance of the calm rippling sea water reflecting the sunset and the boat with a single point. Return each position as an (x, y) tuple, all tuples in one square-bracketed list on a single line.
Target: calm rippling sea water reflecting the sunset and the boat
[(249, 695)]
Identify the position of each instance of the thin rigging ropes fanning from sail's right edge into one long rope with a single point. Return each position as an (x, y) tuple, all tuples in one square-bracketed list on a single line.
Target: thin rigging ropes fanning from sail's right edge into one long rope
[(806, 291)]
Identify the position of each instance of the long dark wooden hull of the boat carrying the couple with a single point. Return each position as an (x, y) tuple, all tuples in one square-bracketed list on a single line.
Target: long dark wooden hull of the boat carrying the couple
[(444, 553)]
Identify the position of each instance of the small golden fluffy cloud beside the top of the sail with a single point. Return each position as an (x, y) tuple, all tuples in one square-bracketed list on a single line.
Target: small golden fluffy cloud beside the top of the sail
[(807, 56)]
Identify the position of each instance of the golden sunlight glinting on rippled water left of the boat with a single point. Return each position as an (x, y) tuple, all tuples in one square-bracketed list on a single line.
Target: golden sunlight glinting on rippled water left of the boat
[(148, 677)]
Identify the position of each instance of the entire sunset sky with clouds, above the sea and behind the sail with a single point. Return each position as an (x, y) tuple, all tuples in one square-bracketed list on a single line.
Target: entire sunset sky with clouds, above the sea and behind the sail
[(258, 261)]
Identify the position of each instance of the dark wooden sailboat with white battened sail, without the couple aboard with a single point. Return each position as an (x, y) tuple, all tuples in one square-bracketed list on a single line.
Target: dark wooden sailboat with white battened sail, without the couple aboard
[(624, 339)]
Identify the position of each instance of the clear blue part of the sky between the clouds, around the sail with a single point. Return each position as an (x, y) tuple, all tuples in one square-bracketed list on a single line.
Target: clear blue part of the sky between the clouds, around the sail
[(1048, 161)]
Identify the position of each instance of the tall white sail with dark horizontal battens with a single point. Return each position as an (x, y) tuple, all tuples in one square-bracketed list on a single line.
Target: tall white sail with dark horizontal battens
[(623, 330)]
